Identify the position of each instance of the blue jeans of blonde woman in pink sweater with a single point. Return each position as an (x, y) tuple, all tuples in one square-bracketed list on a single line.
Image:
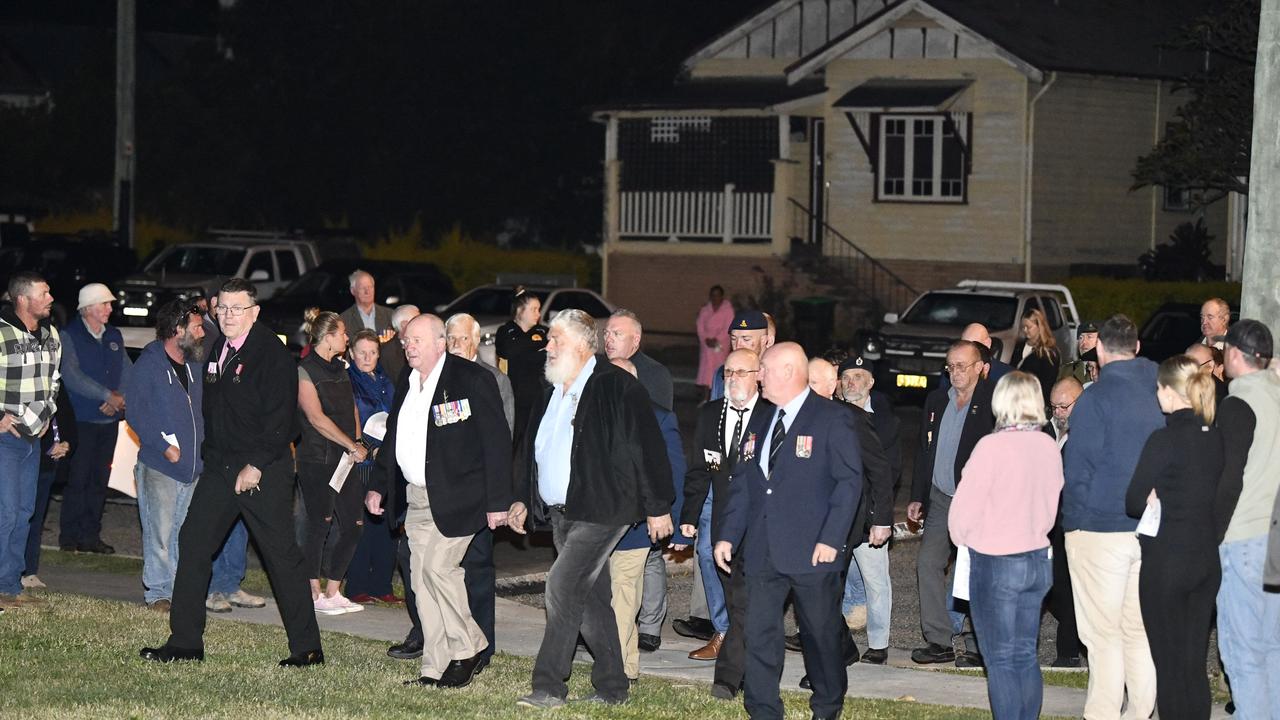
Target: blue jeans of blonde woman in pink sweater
[(1007, 593)]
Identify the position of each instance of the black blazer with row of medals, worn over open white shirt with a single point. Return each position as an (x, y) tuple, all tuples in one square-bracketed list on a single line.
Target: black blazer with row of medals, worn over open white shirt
[(468, 462)]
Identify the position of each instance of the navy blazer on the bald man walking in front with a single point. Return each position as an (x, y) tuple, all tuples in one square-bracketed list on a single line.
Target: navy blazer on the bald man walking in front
[(810, 500)]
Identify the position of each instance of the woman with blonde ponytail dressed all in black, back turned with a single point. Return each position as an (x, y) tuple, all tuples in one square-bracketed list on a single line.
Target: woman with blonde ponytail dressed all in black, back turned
[(1181, 571)]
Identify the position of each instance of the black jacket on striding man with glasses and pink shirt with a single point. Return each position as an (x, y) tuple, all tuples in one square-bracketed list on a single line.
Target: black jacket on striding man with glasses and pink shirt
[(252, 408)]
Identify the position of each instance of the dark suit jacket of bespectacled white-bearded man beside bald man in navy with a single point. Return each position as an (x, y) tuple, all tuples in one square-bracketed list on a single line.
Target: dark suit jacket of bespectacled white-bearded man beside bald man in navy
[(703, 476)]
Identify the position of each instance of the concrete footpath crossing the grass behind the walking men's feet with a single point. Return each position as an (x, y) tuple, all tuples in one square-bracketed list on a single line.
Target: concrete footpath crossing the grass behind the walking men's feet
[(520, 631)]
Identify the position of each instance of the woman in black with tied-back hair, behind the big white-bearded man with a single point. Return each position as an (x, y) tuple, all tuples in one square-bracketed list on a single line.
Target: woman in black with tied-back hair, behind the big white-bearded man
[(519, 348)]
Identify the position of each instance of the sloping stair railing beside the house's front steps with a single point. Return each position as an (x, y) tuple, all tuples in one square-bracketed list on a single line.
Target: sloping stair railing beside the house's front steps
[(862, 275)]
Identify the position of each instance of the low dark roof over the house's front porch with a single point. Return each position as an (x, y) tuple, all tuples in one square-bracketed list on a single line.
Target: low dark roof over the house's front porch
[(720, 95)]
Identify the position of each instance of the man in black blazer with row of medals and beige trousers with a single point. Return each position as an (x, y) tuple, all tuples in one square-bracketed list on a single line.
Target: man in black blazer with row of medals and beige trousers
[(449, 440)]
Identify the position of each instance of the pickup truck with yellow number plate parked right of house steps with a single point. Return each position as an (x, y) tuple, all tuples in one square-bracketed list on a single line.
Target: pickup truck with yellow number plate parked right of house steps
[(912, 349)]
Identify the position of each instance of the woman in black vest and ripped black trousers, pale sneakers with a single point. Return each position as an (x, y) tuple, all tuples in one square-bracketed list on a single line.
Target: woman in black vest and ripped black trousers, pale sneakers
[(330, 430)]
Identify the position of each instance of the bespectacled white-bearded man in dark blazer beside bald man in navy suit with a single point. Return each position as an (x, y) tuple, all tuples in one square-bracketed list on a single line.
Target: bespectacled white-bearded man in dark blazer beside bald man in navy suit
[(721, 429)]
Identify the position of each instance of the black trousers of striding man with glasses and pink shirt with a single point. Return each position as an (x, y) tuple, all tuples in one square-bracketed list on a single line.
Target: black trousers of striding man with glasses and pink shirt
[(269, 518)]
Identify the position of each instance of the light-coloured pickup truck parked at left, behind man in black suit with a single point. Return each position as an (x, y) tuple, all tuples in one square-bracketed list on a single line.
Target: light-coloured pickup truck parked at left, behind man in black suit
[(195, 270)]
